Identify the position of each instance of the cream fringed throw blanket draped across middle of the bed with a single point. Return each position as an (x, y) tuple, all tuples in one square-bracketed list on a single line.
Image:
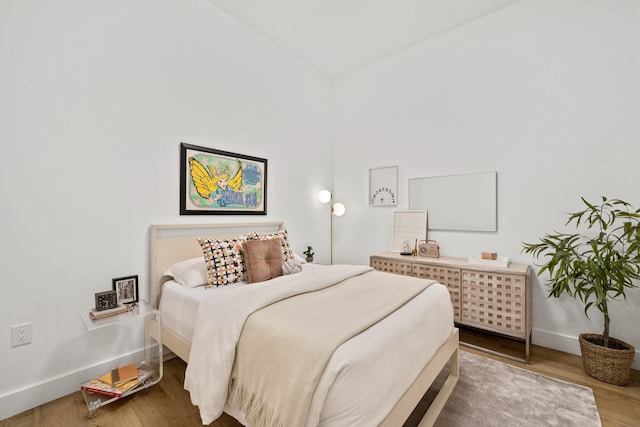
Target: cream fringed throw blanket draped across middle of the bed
[(285, 346)]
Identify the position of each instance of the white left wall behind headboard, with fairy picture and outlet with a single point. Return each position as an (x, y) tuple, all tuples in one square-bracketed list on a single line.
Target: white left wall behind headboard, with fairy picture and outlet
[(95, 98)]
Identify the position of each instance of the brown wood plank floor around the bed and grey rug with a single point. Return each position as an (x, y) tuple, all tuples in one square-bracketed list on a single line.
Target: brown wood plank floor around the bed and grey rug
[(168, 404)]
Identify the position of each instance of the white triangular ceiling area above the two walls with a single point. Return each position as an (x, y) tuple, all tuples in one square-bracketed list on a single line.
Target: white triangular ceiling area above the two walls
[(340, 35)]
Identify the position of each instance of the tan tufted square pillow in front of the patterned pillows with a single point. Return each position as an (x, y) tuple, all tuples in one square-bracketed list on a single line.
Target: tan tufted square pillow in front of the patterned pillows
[(263, 259)]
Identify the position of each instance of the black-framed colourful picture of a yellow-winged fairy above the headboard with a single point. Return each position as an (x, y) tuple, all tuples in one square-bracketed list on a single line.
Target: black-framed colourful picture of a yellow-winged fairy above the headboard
[(214, 182)]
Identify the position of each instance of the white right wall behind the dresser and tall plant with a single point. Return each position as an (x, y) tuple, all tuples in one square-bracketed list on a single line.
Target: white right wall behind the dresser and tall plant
[(544, 92)]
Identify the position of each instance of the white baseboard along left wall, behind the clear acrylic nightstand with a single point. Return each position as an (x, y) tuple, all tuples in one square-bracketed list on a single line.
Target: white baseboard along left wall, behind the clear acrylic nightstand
[(34, 395)]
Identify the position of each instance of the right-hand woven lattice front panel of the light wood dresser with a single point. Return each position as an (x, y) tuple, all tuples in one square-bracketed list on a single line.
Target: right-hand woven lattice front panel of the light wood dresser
[(494, 301)]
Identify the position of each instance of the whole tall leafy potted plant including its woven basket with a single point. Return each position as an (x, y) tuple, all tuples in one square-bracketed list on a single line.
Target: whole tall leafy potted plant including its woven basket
[(596, 266)]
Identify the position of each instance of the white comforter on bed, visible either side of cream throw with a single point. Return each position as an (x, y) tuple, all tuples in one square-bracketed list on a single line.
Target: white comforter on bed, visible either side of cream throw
[(220, 320)]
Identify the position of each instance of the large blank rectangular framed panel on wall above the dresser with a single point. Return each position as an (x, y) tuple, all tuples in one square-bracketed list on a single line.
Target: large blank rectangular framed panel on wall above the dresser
[(467, 202)]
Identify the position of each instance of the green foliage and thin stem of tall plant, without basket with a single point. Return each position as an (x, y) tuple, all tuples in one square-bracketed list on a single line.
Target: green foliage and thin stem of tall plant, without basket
[(597, 265)]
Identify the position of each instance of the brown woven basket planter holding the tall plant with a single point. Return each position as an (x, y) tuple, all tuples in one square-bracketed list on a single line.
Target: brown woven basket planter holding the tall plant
[(610, 365)]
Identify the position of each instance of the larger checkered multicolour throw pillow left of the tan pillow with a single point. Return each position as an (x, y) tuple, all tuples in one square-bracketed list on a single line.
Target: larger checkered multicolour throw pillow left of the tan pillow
[(224, 260)]
